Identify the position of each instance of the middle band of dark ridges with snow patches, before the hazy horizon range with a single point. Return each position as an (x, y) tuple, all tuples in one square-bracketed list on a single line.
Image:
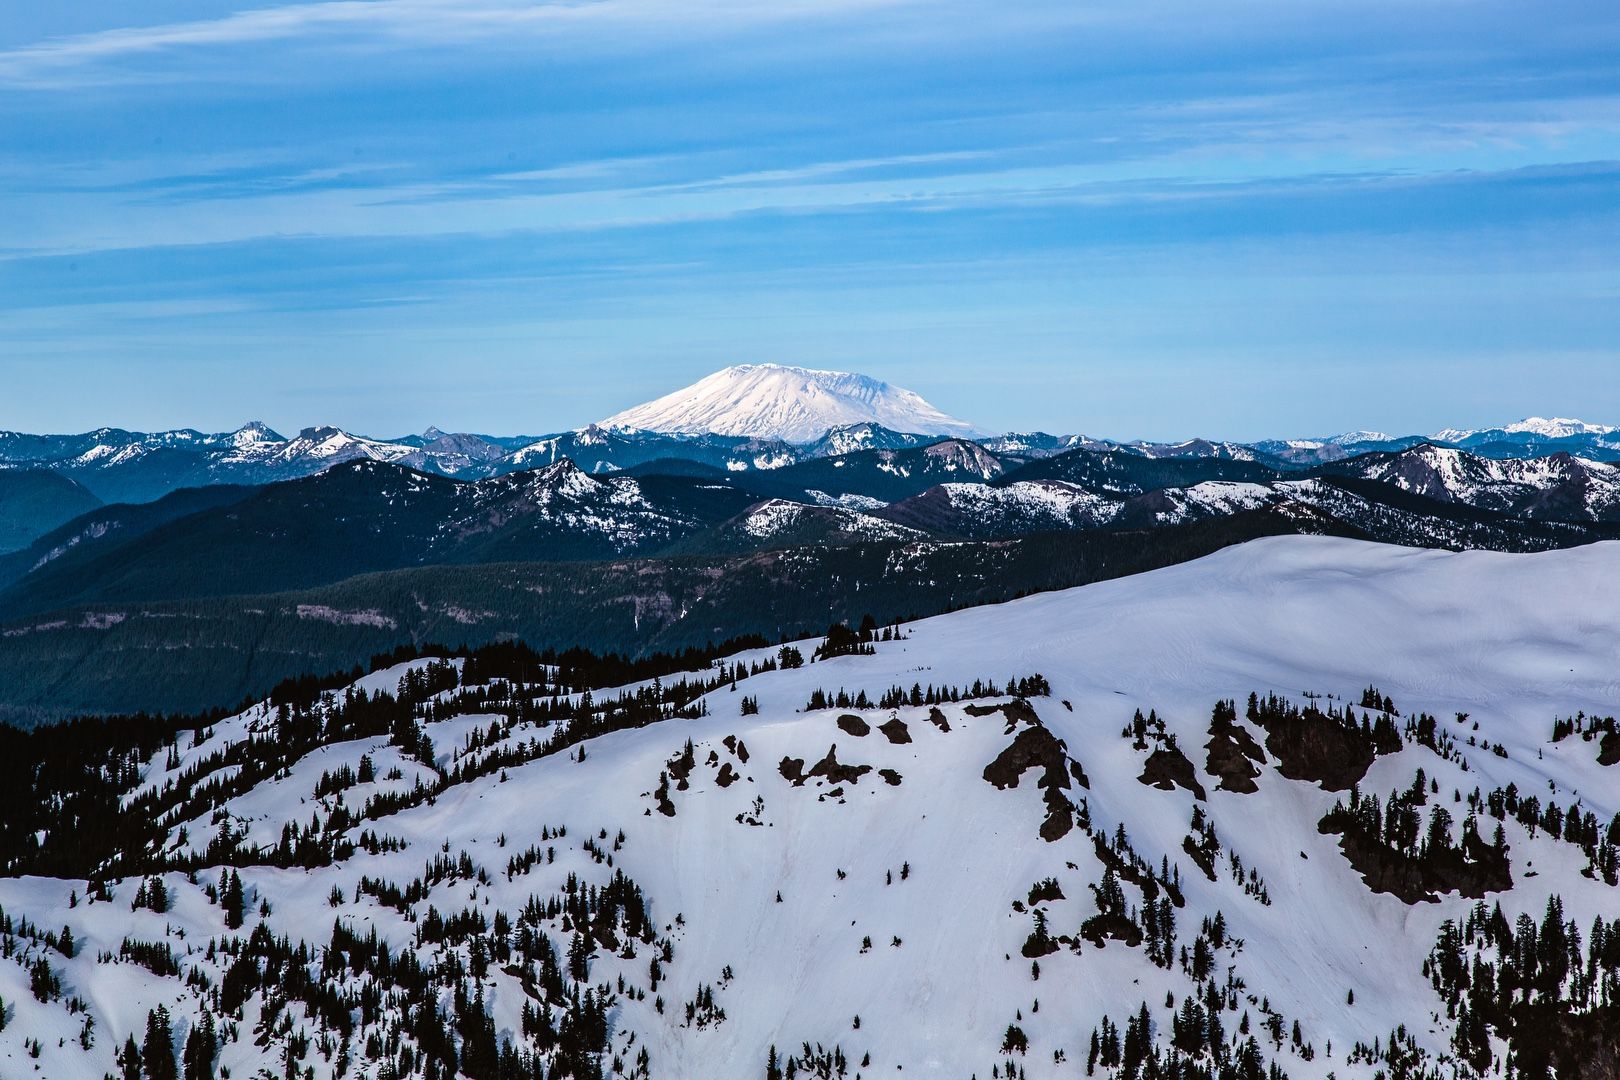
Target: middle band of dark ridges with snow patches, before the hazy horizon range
[(365, 516)]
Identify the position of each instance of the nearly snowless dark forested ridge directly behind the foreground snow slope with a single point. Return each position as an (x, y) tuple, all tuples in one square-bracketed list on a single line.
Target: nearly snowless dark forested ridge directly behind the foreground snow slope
[(184, 657)]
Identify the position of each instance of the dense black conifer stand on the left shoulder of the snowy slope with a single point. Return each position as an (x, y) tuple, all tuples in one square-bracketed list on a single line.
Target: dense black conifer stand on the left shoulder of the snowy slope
[(66, 789)]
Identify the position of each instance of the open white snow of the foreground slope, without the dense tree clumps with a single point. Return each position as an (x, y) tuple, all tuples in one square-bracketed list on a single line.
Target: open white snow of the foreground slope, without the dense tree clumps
[(906, 903)]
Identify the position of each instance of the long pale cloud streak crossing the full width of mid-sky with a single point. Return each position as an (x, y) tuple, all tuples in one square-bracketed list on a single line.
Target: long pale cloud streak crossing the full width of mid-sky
[(343, 203)]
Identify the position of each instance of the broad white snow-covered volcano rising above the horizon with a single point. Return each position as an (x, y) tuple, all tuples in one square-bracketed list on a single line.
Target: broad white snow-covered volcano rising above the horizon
[(791, 404)]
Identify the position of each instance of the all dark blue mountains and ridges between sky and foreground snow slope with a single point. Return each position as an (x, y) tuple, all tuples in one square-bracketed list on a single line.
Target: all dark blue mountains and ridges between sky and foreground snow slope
[(104, 530)]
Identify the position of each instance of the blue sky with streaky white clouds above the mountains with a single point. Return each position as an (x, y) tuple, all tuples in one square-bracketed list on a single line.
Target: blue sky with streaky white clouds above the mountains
[(1132, 219)]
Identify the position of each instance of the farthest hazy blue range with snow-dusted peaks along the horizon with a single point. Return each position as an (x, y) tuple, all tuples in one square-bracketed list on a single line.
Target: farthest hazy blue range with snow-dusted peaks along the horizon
[(113, 466)]
